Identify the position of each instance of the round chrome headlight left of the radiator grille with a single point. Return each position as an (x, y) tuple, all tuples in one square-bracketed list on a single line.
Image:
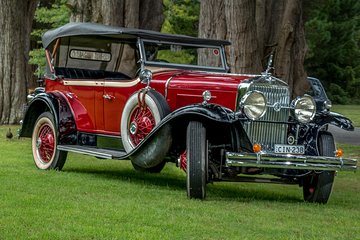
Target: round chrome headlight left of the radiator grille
[(253, 104)]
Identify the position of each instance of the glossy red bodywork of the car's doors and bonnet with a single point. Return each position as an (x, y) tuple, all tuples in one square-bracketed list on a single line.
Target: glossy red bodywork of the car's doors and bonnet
[(94, 113)]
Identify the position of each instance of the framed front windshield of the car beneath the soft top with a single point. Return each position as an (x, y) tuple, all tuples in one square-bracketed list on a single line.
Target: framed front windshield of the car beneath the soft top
[(184, 56)]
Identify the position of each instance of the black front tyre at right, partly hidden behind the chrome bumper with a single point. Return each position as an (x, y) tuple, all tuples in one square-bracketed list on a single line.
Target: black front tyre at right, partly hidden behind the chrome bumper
[(317, 187)]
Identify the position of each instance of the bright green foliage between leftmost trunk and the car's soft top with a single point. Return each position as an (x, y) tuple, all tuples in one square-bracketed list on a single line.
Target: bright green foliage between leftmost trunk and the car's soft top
[(46, 17)]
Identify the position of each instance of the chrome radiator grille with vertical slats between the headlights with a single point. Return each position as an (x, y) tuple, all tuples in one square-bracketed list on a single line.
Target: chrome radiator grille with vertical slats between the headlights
[(272, 131)]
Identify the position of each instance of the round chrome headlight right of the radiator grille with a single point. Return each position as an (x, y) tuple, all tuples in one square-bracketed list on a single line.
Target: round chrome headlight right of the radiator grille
[(304, 109)]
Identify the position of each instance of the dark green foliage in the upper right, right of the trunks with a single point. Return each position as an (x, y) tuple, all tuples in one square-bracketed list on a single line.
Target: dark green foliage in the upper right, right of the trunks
[(333, 35)]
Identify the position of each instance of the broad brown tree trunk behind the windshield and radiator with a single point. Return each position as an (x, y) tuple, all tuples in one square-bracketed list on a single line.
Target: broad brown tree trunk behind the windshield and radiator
[(256, 29)]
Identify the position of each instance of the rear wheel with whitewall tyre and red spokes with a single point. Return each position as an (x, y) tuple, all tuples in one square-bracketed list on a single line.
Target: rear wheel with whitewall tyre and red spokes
[(44, 144)]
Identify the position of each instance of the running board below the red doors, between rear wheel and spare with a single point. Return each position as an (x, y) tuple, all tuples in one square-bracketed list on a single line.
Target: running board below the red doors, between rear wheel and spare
[(94, 151)]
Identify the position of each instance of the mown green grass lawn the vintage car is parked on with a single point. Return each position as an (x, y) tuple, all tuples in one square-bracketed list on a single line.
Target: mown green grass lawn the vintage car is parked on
[(103, 199)]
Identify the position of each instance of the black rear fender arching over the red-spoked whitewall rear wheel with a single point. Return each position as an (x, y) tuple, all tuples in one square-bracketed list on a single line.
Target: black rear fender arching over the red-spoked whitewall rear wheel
[(56, 104)]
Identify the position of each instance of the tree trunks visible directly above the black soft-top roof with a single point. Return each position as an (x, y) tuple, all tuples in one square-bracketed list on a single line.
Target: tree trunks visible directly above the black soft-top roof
[(125, 13)]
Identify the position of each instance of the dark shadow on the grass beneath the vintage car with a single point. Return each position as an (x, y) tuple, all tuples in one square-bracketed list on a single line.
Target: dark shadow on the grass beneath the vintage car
[(215, 192)]
